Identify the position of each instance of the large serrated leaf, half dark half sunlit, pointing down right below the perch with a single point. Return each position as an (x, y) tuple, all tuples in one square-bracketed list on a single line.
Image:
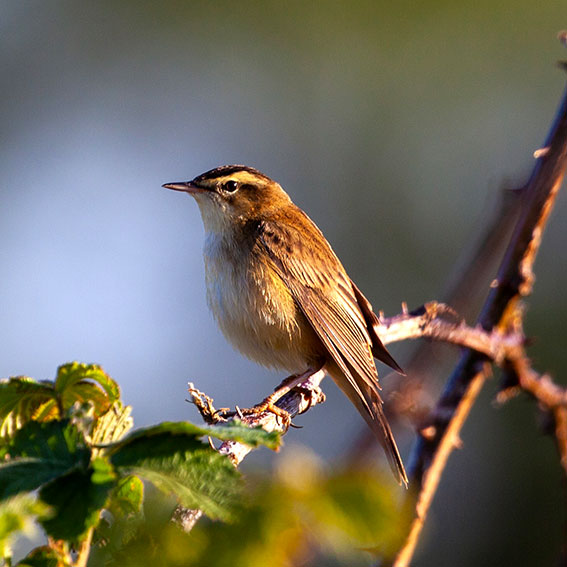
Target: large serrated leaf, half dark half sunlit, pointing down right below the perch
[(175, 461)]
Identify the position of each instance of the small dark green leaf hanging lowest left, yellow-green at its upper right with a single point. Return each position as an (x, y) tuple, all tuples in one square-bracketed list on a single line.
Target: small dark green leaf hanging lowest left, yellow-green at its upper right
[(77, 499)]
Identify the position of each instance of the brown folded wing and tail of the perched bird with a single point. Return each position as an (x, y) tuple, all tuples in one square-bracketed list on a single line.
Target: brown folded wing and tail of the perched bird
[(331, 303)]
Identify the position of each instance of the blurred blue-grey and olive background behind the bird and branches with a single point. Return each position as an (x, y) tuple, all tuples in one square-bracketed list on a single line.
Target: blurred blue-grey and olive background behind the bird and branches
[(393, 124)]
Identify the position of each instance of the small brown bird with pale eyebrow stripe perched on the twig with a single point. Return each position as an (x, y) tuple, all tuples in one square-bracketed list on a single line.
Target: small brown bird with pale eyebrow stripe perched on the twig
[(281, 296)]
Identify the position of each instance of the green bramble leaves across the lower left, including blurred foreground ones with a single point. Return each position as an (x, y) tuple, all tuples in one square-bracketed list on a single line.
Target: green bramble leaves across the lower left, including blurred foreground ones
[(104, 494)]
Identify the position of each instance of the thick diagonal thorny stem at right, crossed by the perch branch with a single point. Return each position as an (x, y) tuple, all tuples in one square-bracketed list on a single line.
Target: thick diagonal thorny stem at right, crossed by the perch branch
[(514, 281)]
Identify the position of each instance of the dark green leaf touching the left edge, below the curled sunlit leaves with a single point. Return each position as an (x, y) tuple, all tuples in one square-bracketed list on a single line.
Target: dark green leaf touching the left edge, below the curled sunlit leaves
[(40, 452)]
